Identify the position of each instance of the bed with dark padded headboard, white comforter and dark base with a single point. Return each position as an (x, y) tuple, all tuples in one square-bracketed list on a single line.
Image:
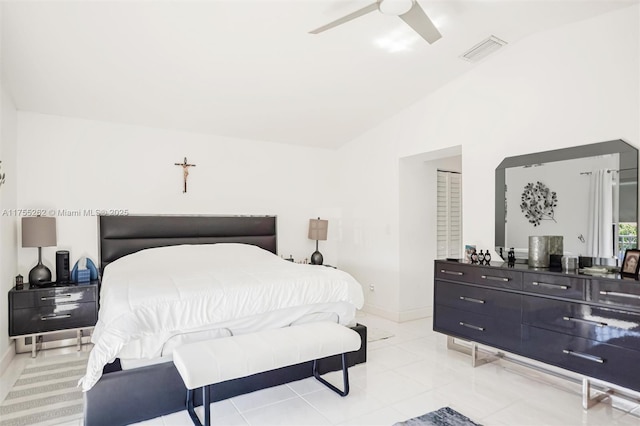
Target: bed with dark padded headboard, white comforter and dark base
[(142, 382)]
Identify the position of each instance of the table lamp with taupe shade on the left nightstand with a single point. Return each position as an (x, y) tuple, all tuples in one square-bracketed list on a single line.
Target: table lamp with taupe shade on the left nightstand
[(39, 232)]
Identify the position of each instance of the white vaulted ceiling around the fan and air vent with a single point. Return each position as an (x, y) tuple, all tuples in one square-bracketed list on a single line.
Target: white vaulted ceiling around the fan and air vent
[(249, 68)]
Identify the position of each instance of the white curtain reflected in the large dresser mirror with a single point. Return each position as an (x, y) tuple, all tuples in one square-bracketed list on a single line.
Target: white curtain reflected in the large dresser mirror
[(600, 232)]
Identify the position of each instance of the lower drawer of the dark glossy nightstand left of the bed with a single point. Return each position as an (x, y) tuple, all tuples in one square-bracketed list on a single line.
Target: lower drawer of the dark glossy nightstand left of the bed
[(53, 318)]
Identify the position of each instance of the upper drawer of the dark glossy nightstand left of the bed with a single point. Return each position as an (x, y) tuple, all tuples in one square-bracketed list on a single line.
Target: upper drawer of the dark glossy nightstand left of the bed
[(52, 296)]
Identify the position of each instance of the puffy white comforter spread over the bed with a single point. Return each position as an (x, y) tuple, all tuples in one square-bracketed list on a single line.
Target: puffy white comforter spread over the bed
[(191, 286)]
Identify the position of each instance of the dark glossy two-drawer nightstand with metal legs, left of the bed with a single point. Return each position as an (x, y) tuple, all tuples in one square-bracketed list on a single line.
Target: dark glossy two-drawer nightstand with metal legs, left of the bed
[(34, 312)]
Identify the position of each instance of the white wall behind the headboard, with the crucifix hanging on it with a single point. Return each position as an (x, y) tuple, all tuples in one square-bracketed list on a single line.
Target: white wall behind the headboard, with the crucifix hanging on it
[(76, 165)]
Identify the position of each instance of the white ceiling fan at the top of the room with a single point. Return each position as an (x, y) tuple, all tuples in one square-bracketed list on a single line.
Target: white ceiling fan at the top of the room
[(408, 10)]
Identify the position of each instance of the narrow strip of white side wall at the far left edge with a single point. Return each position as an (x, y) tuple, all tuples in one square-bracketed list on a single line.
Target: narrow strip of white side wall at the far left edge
[(8, 235)]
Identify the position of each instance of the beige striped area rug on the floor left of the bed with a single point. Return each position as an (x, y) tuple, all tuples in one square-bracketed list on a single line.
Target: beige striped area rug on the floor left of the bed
[(46, 393)]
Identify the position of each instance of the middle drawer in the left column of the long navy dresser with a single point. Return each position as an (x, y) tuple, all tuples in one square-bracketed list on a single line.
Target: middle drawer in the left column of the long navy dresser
[(480, 300)]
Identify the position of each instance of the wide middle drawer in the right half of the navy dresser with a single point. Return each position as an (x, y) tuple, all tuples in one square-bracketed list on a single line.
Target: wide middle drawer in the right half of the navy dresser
[(607, 325)]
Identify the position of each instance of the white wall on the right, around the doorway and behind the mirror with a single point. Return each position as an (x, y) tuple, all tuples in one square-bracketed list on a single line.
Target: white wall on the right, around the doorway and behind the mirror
[(570, 86)]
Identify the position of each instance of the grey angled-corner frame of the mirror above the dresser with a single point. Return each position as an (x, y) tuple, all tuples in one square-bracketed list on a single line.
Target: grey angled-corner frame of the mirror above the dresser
[(628, 160)]
